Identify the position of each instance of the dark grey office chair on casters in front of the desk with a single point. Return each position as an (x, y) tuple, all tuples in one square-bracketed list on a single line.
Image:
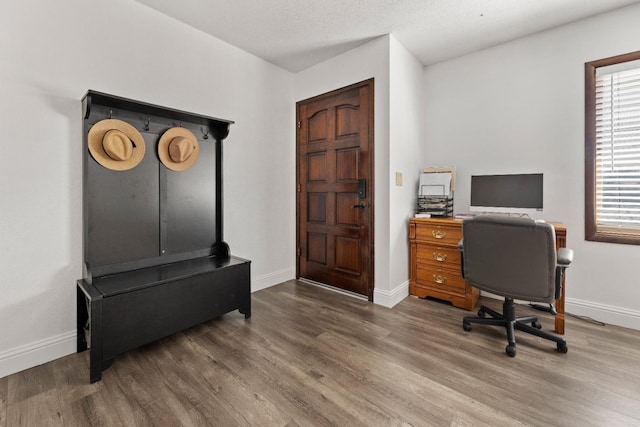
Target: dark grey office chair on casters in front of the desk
[(515, 258)]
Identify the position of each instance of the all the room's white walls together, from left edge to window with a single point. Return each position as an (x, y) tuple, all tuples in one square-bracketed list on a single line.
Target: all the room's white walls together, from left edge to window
[(53, 52)]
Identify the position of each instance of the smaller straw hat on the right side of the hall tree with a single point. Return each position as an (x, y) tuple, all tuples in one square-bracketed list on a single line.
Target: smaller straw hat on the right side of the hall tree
[(178, 149)]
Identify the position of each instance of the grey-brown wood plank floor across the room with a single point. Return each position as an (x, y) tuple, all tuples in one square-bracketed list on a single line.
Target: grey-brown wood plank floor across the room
[(312, 357)]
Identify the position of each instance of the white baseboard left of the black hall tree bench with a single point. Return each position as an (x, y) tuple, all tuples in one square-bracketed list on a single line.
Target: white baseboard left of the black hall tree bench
[(37, 353)]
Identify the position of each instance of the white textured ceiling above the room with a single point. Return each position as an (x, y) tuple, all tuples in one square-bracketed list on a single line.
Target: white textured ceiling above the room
[(296, 34)]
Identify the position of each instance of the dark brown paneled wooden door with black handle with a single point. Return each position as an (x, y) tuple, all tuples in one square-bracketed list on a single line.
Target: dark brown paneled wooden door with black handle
[(335, 188)]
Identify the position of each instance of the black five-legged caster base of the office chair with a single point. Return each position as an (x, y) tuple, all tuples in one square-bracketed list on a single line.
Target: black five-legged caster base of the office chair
[(507, 318)]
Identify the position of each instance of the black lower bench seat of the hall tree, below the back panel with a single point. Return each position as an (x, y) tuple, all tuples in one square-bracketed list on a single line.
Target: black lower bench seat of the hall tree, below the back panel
[(122, 311)]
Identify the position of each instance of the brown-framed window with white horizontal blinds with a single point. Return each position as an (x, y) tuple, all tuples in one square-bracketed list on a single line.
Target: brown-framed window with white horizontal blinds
[(612, 149)]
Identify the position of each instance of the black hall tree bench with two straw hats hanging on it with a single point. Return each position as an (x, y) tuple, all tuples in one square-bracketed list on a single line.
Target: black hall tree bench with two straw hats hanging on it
[(155, 261)]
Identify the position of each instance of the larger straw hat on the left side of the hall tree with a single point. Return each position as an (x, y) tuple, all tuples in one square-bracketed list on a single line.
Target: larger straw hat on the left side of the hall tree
[(116, 145)]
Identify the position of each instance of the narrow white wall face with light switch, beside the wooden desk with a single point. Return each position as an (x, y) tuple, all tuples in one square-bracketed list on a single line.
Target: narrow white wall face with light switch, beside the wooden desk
[(406, 154)]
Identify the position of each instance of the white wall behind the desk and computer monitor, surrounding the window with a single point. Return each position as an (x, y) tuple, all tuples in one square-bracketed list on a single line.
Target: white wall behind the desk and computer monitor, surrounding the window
[(519, 107)]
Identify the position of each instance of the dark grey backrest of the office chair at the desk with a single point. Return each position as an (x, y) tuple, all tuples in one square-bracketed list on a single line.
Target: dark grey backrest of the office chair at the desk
[(510, 256)]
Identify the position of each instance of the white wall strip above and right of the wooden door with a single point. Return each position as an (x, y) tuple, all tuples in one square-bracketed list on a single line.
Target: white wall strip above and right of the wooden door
[(362, 63)]
